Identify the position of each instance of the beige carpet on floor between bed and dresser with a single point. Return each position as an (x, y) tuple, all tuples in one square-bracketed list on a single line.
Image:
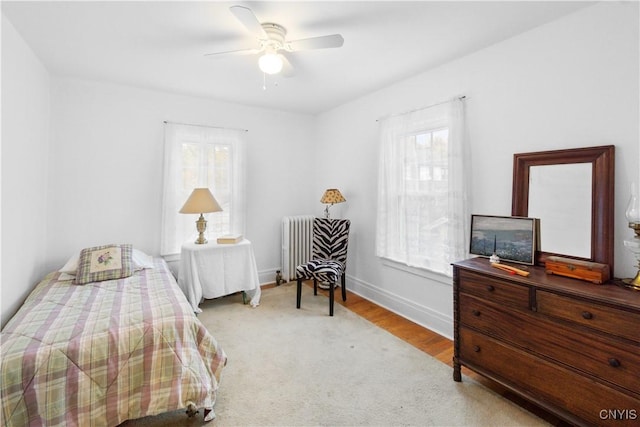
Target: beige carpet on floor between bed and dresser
[(290, 367)]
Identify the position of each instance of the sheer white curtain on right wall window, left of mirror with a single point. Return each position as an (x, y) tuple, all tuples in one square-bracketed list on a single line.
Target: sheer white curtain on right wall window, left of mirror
[(423, 217)]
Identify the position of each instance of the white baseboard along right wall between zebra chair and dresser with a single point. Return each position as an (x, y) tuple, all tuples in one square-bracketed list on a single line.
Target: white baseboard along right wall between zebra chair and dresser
[(435, 321)]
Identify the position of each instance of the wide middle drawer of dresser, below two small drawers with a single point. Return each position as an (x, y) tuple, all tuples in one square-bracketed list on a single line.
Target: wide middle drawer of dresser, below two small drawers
[(608, 359)]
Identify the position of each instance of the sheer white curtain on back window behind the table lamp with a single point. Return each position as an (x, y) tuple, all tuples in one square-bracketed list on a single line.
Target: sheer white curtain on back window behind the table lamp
[(200, 156)]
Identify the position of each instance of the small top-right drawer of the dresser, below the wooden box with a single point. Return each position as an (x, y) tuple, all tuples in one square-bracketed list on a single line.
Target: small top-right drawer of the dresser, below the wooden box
[(603, 318)]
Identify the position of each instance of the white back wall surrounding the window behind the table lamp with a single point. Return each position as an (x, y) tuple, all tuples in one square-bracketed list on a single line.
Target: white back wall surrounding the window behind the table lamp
[(107, 159)]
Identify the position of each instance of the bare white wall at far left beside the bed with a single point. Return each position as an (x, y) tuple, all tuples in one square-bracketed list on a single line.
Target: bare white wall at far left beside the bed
[(25, 150)]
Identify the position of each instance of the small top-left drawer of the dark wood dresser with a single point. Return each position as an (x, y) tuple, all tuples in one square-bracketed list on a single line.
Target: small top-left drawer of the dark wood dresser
[(494, 290)]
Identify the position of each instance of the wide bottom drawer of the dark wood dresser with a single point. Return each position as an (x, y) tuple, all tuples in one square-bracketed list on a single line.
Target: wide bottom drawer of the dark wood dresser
[(544, 381)]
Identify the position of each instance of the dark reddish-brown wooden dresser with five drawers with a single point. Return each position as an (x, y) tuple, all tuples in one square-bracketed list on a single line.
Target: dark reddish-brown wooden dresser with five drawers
[(571, 347)]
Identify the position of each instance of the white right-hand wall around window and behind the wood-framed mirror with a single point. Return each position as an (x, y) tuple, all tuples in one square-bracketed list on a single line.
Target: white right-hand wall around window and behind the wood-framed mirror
[(571, 83)]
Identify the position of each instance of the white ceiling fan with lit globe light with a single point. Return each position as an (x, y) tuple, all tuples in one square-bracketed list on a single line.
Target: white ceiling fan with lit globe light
[(272, 42)]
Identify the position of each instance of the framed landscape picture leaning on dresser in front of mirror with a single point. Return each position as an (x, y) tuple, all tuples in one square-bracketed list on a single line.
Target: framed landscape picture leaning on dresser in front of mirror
[(509, 237)]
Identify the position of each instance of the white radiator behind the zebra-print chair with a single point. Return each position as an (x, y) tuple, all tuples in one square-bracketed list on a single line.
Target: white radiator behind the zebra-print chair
[(297, 236)]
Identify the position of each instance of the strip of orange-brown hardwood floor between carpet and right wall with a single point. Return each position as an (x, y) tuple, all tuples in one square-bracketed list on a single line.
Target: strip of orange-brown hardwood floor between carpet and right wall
[(435, 345)]
